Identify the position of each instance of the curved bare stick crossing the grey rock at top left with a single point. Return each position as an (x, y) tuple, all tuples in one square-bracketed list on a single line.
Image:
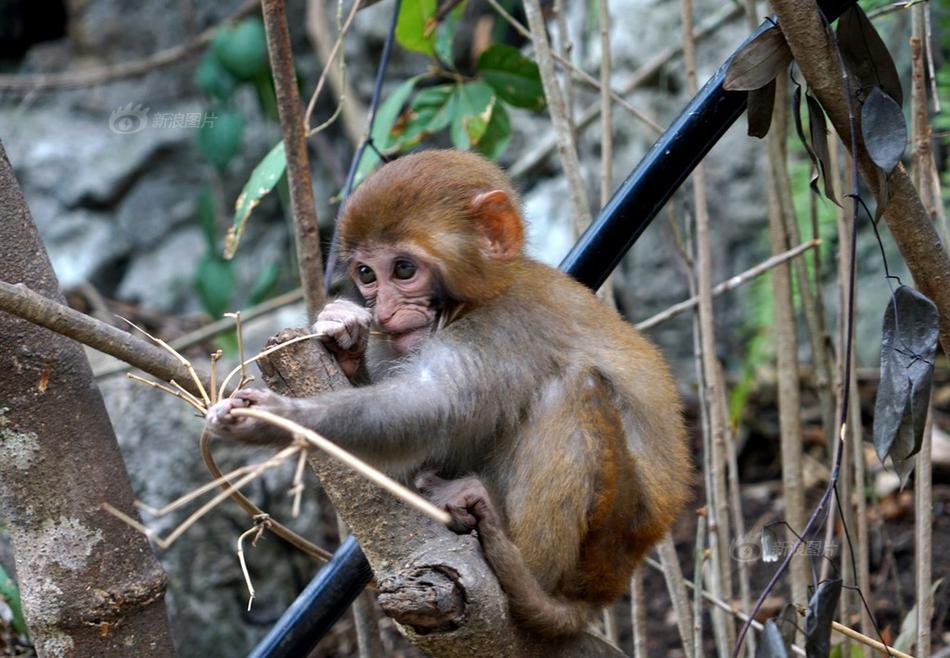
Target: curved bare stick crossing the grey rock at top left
[(94, 76)]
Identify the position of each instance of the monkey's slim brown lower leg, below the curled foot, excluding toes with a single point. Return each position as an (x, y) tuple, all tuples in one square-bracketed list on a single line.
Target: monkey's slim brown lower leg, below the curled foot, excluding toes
[(531, 607)]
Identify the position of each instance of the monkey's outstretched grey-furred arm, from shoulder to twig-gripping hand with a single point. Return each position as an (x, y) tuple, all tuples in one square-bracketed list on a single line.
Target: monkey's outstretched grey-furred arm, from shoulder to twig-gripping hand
[(445, 391)]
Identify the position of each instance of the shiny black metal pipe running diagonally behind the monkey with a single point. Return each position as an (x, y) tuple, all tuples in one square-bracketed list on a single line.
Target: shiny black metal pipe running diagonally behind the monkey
[(598, 251)]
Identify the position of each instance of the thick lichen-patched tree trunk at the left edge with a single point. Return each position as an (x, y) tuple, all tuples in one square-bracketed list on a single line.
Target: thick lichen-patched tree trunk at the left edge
[(90, 584)]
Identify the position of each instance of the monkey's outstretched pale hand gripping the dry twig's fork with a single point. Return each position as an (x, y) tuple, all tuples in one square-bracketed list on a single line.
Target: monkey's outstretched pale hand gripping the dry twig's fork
[(222, 422)]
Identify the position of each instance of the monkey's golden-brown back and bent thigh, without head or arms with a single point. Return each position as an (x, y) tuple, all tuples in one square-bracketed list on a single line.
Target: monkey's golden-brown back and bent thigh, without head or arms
[(621, 470)]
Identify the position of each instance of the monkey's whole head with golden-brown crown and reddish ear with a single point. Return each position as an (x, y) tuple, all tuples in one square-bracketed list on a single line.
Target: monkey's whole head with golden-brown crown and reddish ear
[(427, 233)]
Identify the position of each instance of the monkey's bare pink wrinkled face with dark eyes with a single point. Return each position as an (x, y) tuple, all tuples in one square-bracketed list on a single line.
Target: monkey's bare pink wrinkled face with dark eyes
[(401, 291)]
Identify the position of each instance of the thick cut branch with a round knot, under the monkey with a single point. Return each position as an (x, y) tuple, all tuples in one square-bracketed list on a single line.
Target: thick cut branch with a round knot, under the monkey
[(434, 583)]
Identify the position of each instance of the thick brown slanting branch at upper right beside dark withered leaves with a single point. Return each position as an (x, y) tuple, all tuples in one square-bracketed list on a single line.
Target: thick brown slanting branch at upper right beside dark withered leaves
[(908, 220)]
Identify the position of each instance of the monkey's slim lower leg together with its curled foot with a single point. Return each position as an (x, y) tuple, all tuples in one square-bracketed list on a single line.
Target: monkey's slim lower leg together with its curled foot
[(471, 507)]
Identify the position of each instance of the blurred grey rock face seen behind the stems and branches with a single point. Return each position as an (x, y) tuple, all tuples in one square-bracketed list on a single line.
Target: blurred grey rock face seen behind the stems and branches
[(119, 213)]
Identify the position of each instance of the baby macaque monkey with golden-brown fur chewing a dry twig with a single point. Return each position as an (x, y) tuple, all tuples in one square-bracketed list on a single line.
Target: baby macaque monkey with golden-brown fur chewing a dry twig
[(509, 394)]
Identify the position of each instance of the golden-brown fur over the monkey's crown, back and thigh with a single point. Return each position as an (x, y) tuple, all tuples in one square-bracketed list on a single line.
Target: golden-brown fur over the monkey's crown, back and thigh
[(623, 509)]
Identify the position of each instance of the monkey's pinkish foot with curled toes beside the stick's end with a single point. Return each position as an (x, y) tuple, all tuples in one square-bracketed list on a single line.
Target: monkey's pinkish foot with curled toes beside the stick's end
[(466, 500)]
